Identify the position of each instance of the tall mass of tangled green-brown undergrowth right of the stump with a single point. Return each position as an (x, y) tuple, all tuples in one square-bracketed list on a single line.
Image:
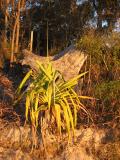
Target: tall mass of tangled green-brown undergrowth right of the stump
[(103, 63)]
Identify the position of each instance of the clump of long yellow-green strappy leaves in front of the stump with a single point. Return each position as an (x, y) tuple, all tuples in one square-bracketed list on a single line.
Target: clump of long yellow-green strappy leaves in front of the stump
[(48, 91)]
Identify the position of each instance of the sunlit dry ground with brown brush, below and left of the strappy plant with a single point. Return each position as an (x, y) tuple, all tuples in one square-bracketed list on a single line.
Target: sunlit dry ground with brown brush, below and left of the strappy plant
[(91, 143)]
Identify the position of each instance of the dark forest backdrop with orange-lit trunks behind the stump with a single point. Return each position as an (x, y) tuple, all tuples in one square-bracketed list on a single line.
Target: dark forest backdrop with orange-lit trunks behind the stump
[(66, 21)]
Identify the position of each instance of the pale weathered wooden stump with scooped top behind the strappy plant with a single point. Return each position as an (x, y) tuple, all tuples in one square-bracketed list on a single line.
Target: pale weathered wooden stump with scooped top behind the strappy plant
[(68, 62)]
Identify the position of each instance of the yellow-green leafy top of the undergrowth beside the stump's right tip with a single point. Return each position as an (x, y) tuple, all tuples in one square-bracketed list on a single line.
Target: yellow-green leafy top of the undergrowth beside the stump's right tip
[(104, 49)]
